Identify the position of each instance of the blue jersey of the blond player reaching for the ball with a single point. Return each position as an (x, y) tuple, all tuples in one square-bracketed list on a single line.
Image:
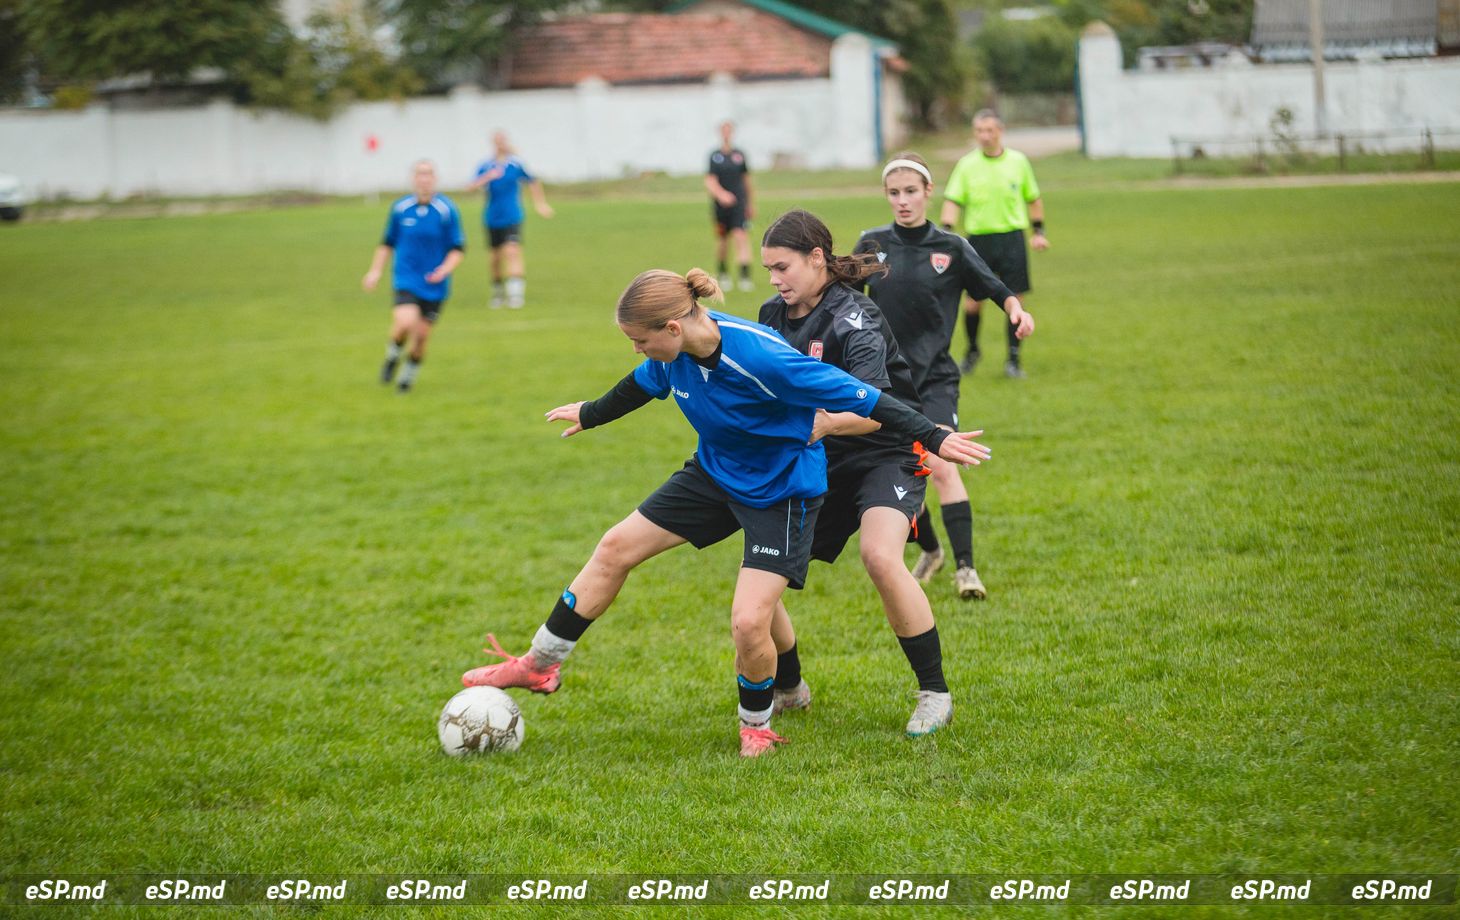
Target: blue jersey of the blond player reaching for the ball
[(754, 411)]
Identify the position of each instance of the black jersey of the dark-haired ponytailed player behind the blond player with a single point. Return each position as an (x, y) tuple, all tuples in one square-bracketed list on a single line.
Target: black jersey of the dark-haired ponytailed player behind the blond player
[(848, 331)]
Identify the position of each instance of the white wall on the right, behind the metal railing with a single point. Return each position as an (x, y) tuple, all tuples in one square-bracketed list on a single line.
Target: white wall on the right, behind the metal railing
[(1129, 113)]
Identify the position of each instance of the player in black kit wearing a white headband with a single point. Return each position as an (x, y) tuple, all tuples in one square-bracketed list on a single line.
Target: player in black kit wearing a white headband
[(929, 271)]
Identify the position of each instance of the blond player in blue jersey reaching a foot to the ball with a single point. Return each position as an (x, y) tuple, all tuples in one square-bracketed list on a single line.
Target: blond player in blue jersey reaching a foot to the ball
[(754, 402)]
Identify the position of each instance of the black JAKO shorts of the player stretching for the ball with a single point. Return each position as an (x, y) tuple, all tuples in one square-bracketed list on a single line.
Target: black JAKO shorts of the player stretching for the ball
[(777, 540)]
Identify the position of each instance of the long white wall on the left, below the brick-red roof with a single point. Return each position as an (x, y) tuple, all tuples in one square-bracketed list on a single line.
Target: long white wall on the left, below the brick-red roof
[(589, 132)]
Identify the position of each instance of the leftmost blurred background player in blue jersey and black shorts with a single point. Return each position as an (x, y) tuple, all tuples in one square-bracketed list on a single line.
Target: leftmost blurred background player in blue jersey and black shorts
[(424, 230)]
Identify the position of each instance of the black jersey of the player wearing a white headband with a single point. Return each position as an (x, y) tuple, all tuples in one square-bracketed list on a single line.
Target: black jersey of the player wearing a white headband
[(929, 272)]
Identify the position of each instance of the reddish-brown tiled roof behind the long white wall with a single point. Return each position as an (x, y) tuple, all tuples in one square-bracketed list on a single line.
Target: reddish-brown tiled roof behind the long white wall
[(665, 49)]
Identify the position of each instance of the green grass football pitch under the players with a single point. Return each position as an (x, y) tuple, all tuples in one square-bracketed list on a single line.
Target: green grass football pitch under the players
[(1220, 532)]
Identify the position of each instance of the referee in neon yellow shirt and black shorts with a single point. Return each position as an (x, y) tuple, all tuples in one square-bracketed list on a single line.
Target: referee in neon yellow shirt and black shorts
[(992, 198)]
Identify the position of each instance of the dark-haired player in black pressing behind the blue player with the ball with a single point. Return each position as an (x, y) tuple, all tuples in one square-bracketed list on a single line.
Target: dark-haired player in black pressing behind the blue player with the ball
[(875, 481)]
